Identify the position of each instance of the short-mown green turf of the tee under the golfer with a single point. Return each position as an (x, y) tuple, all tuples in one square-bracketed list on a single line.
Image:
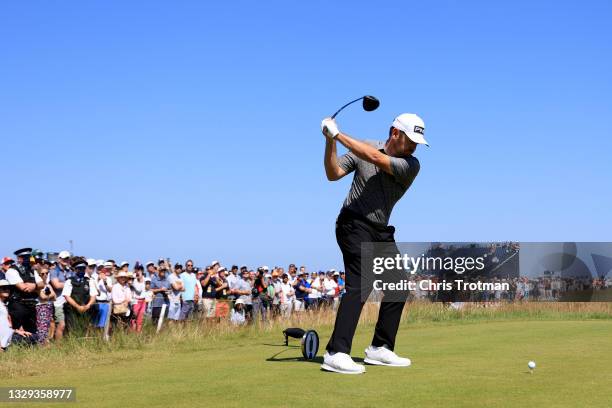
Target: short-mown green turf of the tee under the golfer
[(476, 364)]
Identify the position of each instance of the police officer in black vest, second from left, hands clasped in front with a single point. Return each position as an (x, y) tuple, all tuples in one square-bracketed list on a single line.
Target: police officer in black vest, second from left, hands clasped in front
[(80, 294)]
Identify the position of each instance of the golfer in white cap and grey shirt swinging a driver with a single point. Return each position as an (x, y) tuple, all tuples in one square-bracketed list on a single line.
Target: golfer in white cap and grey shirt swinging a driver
[(383, 173)]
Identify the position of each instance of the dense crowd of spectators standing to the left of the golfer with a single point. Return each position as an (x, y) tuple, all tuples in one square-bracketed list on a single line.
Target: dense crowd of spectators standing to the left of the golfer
[(44, 297)]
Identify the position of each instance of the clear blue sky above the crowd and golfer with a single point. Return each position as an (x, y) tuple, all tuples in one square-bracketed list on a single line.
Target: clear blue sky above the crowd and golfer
[(191, 129)]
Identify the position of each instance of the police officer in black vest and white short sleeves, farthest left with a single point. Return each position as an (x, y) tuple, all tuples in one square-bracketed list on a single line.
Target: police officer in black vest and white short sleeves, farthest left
[(27, 284)]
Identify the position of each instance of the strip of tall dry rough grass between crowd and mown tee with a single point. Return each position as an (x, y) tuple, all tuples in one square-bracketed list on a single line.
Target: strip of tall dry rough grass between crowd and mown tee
[(92, 350)]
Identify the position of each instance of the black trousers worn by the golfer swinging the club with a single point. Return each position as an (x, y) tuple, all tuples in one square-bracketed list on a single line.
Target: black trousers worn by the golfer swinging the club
[(351, 232)]
